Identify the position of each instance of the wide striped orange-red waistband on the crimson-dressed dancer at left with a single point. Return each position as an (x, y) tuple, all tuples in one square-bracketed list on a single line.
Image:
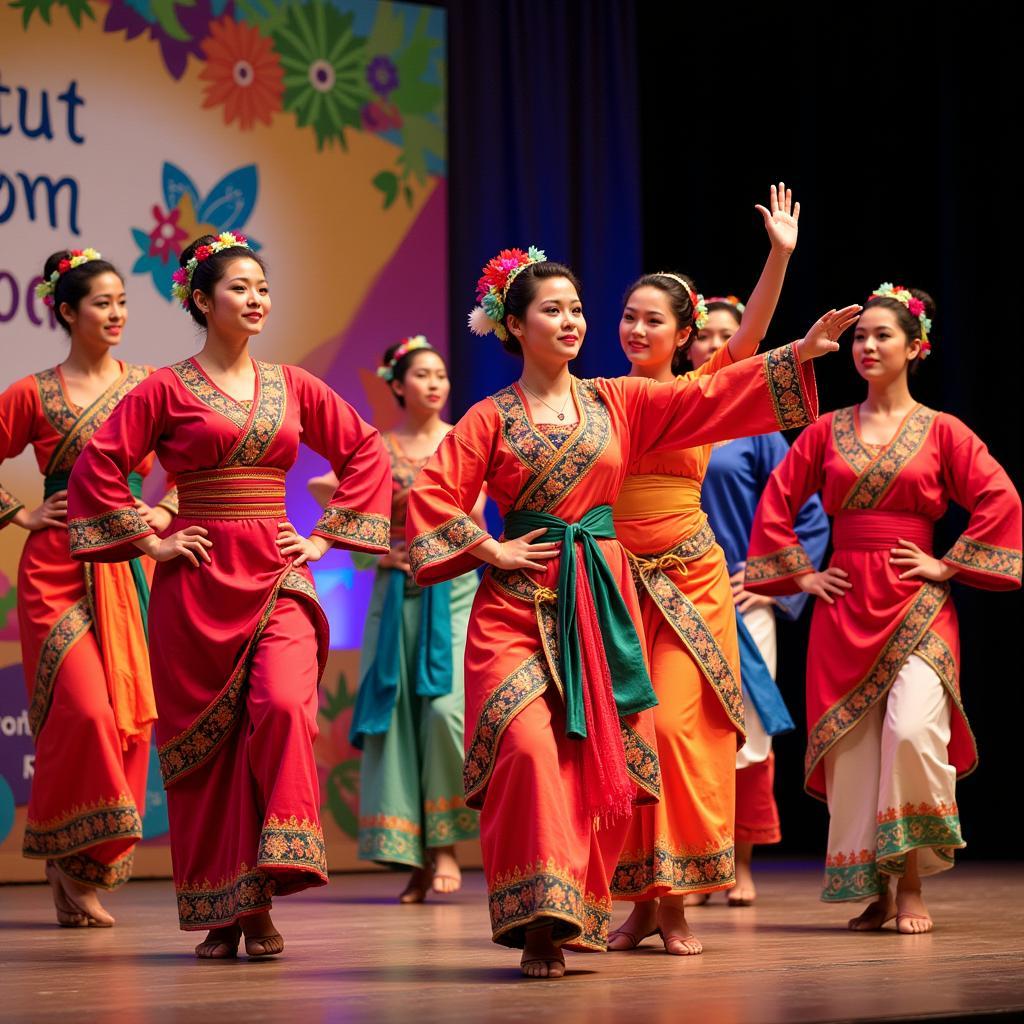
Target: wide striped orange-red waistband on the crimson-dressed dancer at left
[(235, 493)]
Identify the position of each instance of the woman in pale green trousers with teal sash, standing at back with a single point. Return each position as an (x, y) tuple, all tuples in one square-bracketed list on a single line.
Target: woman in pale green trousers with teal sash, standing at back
[(409, 715)]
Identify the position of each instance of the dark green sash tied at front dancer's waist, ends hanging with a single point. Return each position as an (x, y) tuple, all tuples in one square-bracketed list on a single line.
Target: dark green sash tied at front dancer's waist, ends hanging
[(630, 682)]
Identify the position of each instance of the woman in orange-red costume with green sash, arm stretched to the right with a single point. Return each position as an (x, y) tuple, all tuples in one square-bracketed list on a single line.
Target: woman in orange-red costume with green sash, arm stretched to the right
[(558, 694)]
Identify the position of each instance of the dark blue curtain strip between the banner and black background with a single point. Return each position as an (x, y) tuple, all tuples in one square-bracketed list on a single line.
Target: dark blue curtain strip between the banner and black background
[(544, 151)]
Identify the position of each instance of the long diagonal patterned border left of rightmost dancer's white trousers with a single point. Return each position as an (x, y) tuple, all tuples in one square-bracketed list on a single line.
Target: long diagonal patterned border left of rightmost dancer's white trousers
[(850, 709)]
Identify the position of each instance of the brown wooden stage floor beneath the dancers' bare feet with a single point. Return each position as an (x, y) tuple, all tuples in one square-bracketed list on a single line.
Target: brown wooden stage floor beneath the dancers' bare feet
[(355, 956)]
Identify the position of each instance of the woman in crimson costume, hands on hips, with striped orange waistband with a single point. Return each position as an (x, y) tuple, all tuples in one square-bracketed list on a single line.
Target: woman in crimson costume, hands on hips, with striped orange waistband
[(238, 639)]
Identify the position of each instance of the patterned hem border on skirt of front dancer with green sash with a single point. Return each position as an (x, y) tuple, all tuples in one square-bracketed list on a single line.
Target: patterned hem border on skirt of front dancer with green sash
[(551, 891)]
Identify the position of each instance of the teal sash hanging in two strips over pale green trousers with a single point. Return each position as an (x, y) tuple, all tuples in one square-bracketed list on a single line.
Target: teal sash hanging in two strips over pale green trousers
[(379, 688)]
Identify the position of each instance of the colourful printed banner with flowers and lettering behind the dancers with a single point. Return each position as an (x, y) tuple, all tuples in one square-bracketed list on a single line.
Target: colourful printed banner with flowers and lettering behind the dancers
[(318, 129)]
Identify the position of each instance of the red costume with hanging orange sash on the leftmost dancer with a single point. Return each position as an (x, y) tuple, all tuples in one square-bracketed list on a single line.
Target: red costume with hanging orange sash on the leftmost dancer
[(83, 650)]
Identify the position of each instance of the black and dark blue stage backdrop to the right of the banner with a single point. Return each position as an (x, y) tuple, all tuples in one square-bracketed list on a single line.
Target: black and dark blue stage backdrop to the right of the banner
[(624, 138)]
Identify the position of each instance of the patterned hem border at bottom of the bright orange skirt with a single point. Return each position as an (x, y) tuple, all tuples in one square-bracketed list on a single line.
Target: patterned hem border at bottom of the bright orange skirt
[(673, 871)]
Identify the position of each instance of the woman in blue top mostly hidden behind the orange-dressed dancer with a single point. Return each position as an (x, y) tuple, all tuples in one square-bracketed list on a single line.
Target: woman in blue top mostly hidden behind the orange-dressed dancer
[(738, 473)]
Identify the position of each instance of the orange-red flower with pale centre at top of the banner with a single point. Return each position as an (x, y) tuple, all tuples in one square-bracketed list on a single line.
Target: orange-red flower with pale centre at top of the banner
[(244, 72)]
